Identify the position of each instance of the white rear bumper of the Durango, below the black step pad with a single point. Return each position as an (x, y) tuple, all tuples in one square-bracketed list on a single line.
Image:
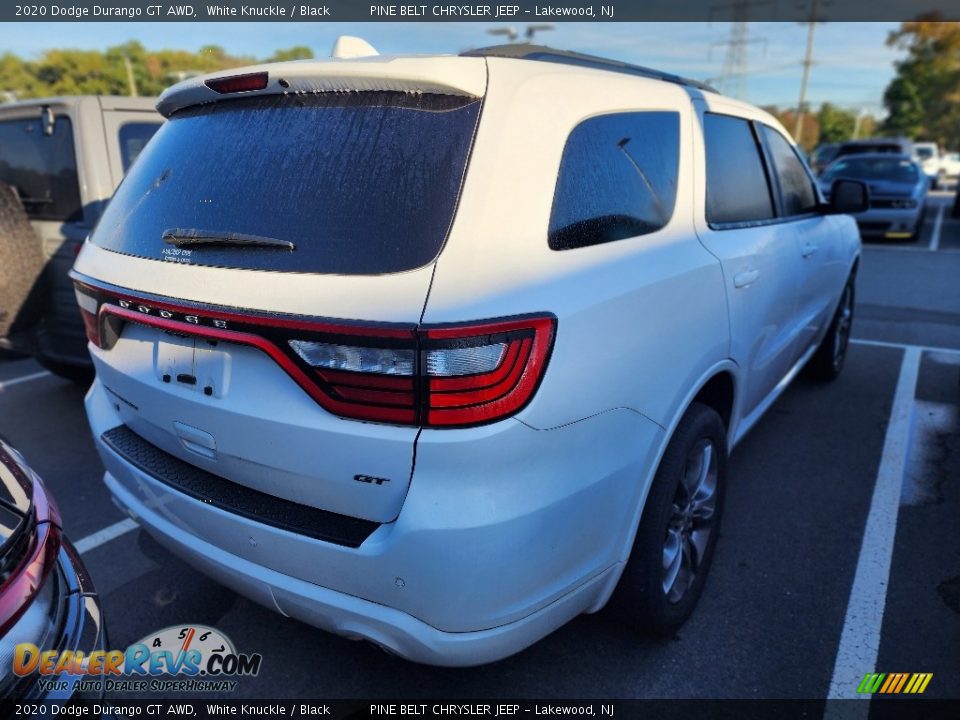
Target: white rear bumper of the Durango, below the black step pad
[(506, 533)]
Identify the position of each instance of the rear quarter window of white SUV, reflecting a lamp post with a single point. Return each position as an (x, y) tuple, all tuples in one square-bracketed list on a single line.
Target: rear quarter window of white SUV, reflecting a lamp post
[(617, 179)]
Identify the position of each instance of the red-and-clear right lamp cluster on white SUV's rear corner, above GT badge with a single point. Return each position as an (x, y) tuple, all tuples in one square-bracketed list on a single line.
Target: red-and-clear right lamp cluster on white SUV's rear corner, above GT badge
[(443, 376)]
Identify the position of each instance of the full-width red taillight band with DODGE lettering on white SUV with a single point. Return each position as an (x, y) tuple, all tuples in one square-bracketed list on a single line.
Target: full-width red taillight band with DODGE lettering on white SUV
[(434, 375)]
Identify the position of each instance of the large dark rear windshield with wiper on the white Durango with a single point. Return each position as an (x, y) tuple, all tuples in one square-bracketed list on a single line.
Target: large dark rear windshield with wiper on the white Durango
[(347, 183)]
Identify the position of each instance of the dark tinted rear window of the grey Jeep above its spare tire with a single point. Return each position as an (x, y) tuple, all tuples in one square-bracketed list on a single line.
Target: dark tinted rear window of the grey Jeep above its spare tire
[(42, 168)]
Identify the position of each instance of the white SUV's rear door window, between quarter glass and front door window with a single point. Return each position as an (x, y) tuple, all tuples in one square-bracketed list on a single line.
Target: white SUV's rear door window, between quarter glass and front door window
[(737, 188)]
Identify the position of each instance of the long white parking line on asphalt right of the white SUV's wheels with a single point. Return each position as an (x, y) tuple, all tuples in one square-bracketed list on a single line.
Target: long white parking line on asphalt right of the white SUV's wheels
[(860, 639)]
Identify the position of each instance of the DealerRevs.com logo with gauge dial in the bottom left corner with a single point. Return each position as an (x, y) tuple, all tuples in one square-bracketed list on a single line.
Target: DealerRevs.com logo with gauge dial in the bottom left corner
[(200, 659)]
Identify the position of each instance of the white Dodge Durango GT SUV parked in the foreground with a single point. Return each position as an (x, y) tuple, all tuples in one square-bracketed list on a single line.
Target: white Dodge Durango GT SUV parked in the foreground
[(440, 352)]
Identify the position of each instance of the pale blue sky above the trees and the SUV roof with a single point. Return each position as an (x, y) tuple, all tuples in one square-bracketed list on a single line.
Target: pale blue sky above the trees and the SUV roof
[(852, 66)]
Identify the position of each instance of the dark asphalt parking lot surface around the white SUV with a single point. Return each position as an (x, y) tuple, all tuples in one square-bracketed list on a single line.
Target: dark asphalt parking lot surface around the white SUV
[(794, 603)]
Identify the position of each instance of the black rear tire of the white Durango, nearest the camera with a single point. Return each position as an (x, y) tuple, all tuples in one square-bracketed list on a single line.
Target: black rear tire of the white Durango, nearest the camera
[(642, 599)]
